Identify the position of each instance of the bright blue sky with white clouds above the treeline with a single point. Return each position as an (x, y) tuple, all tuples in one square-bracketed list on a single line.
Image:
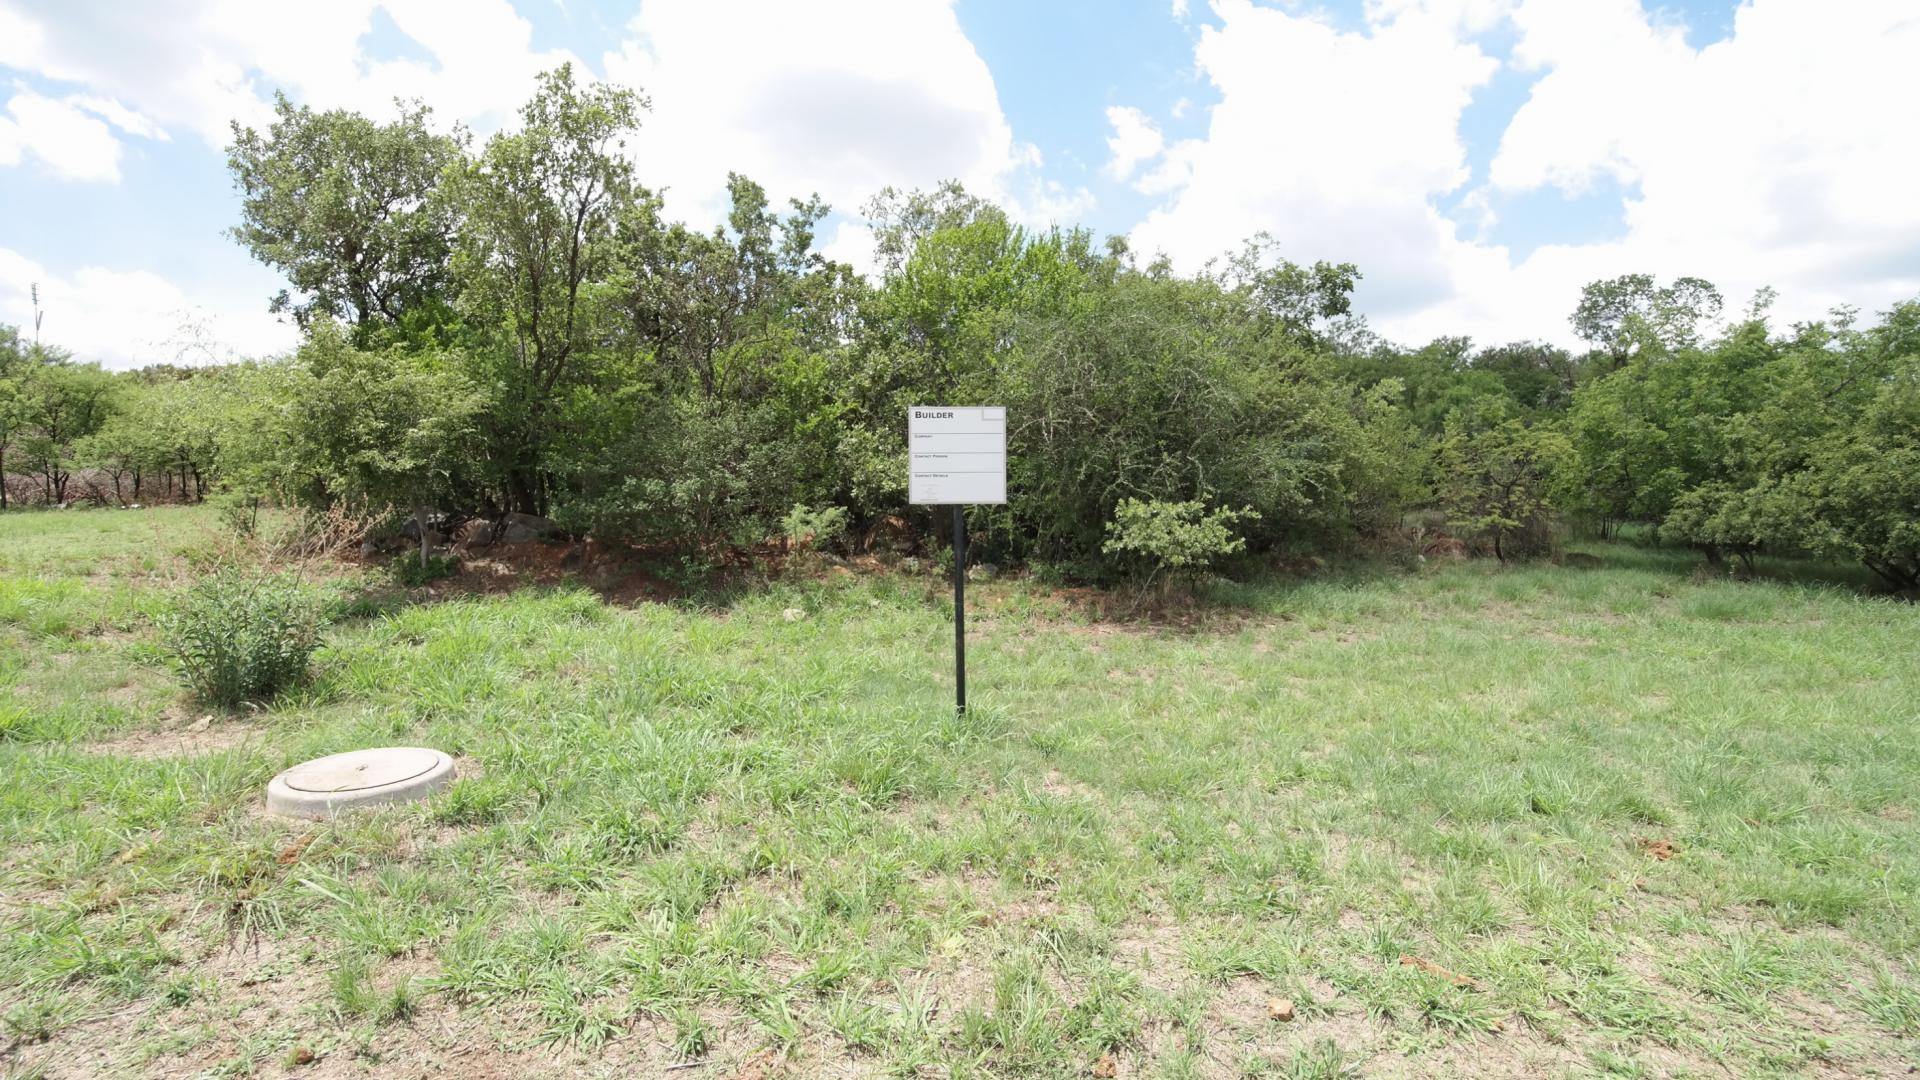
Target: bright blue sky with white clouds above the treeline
[(1477, 160)]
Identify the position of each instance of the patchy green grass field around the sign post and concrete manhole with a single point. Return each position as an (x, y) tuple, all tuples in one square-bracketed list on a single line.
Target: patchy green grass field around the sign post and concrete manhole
[(1466, 822)]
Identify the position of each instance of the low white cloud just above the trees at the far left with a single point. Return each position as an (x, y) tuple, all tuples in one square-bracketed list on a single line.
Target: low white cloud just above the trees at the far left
[(132, 318)]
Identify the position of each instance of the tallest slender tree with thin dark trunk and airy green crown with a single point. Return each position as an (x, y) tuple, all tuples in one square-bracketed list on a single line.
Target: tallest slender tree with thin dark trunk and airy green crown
[(540, 209)]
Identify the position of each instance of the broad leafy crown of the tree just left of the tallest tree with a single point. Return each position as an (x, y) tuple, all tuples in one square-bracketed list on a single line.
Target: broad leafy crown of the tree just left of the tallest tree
[(348, 210)]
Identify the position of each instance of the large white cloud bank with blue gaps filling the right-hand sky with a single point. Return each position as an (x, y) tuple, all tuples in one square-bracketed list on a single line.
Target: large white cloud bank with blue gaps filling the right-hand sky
[(1777, 157)]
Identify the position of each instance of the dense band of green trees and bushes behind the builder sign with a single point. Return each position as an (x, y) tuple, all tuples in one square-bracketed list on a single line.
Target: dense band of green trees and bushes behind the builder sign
[(514, 326)]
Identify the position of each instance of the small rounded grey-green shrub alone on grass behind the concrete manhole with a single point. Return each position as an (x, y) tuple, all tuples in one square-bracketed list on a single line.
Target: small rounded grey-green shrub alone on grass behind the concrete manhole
[(243, 635)]
